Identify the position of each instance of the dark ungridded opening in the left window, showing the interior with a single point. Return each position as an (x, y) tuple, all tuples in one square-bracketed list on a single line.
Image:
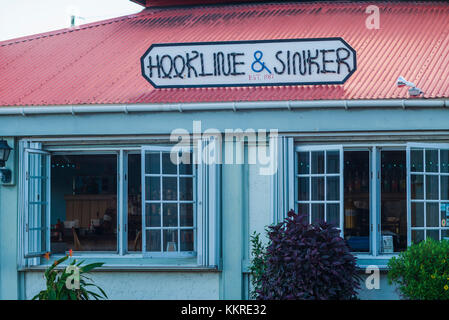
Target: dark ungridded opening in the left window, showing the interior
[(84, 203)]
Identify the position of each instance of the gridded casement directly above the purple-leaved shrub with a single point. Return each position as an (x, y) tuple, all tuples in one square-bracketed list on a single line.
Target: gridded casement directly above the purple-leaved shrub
[(319, 185)]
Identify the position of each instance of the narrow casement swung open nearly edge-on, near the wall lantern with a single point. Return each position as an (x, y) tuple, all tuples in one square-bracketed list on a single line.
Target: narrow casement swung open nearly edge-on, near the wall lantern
[(36, 201)]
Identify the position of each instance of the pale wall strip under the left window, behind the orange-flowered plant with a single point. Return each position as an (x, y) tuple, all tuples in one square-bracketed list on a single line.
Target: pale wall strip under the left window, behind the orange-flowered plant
[(144, 285)]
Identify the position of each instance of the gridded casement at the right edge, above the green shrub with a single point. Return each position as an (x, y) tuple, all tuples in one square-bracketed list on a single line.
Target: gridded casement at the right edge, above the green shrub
[(428, 191)]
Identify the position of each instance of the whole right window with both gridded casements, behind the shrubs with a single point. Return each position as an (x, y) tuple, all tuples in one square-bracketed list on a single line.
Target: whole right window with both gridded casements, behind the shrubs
[(382, 197)]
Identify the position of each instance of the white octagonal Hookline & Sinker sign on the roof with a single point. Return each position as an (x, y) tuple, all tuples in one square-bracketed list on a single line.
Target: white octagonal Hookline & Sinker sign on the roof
[(249, 63)]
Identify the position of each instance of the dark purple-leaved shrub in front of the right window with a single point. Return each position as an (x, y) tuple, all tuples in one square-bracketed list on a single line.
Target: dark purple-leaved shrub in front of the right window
[(307, 261)]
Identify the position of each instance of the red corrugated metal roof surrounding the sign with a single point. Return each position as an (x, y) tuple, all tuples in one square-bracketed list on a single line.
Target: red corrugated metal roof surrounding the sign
[(99, 63)]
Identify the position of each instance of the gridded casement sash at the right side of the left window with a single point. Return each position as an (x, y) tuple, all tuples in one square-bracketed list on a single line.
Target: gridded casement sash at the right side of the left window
[(169, 204)]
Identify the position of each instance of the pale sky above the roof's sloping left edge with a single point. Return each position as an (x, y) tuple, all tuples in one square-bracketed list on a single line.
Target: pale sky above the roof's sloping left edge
[(20, 18)]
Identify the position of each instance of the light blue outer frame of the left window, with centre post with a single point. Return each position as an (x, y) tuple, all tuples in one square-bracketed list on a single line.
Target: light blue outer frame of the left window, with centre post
[(207, 215)]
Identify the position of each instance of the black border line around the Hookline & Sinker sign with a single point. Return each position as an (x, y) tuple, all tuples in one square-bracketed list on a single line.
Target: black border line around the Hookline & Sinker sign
[(154, 45)]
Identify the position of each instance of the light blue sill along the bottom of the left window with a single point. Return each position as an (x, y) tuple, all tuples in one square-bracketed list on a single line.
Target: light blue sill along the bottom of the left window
[(130, 263)]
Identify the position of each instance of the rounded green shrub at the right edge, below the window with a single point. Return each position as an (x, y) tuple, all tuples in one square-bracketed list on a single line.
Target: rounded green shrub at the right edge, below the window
[(422, 272)]
